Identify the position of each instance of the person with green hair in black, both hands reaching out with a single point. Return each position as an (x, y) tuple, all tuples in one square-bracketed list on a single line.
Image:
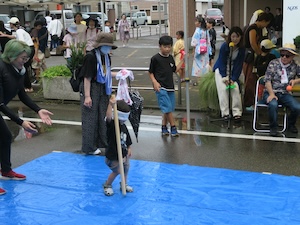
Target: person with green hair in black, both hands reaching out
[(12, 71)]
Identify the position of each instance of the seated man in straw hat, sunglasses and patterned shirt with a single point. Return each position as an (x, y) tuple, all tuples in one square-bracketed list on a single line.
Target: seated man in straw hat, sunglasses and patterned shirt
[(279, 74)]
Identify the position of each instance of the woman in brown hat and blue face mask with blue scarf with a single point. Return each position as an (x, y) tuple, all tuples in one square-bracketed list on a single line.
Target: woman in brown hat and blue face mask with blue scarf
[(94, 93)]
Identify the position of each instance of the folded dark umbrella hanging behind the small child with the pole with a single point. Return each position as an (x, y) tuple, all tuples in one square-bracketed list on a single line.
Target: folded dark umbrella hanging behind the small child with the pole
[(136, 110)]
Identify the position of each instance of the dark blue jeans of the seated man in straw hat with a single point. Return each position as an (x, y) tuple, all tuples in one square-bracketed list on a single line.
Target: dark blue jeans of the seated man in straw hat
[(286, 100)]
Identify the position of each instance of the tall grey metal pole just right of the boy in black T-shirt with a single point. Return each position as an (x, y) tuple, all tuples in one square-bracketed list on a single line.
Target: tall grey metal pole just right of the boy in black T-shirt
[(187, 79)]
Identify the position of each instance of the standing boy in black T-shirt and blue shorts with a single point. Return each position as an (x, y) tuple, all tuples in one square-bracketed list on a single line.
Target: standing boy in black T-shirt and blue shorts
[(162, 67)]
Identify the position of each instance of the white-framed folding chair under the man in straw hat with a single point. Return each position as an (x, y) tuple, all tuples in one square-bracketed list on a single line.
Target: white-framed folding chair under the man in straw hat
[(260, 86)]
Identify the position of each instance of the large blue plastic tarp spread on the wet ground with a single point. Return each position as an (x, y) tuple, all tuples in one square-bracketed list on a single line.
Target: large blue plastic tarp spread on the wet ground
[(66, 188)]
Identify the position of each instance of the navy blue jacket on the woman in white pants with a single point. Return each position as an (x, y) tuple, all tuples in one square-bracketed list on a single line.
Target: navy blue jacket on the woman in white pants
[(221, 62)]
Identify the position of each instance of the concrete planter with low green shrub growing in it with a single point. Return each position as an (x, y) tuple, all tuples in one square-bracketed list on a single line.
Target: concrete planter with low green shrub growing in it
[(56, 83)]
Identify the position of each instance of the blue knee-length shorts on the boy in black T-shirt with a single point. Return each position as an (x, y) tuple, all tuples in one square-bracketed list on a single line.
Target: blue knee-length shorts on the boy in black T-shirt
[(166, 100)]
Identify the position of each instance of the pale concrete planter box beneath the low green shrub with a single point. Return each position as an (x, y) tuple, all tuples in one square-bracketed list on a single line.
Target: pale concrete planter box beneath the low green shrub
[(59, 88)]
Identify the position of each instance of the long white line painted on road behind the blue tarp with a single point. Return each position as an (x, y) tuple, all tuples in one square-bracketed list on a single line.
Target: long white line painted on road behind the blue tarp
[(200, 133)]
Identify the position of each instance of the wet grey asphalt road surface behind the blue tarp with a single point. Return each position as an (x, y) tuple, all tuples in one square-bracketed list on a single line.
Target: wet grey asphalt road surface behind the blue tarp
[(207, 143)]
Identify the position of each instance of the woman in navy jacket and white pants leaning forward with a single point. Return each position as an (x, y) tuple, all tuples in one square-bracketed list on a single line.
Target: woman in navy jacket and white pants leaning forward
[(221, 69)]
